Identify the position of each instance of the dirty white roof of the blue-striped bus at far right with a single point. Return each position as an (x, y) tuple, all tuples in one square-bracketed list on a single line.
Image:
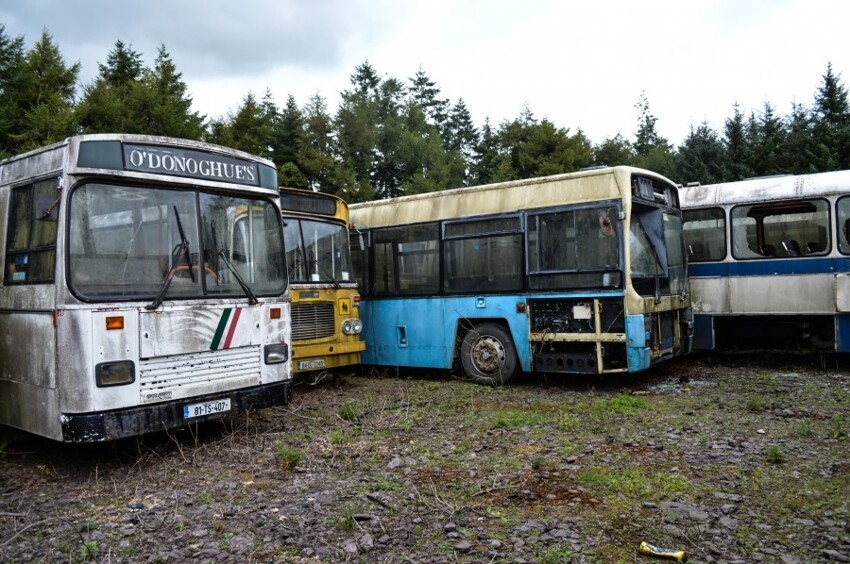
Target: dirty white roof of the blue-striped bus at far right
[(766, 189)]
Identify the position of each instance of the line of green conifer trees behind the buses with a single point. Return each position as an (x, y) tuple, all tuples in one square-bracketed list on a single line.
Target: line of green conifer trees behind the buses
[(390, 137)]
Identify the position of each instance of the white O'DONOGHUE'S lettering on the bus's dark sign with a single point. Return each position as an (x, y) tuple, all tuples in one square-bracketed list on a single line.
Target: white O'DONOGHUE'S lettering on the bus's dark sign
[(155, 161)]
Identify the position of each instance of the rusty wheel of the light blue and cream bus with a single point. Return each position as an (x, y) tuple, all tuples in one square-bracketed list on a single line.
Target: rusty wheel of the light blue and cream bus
[(487, 354)]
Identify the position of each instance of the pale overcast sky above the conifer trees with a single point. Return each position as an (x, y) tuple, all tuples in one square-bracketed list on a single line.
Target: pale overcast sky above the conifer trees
[(582, 65)]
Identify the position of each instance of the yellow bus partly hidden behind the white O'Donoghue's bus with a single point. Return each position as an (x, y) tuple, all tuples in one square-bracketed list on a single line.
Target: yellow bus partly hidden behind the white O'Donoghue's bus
[(325, 307)]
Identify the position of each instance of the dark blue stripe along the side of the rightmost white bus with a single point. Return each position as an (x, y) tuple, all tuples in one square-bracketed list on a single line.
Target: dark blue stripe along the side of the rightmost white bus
[(769, 267)]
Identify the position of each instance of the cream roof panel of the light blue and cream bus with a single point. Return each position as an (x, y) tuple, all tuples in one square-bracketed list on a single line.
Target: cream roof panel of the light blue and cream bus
[(504, 197)]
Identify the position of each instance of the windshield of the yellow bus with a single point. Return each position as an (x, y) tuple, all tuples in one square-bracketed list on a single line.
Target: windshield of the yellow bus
[(317, 251)]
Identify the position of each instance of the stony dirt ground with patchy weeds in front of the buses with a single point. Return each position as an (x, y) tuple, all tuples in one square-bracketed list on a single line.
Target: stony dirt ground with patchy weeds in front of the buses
[(741, 458)]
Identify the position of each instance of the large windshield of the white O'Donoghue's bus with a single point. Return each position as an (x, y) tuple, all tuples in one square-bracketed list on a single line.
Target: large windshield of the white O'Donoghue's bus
[(126, 241)]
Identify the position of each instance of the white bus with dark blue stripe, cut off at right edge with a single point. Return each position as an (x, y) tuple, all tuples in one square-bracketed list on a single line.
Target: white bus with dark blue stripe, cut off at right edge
[(769, 260)]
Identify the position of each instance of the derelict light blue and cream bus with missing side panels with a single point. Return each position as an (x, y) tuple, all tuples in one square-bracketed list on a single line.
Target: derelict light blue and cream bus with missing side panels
[(580, 273)]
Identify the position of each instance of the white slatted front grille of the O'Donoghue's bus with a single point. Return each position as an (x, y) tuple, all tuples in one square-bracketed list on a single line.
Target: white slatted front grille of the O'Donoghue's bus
[(212, 368)]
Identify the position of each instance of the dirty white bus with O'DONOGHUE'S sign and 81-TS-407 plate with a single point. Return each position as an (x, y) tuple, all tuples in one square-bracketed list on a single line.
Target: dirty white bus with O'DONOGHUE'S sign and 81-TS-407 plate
[(144, 287)]
